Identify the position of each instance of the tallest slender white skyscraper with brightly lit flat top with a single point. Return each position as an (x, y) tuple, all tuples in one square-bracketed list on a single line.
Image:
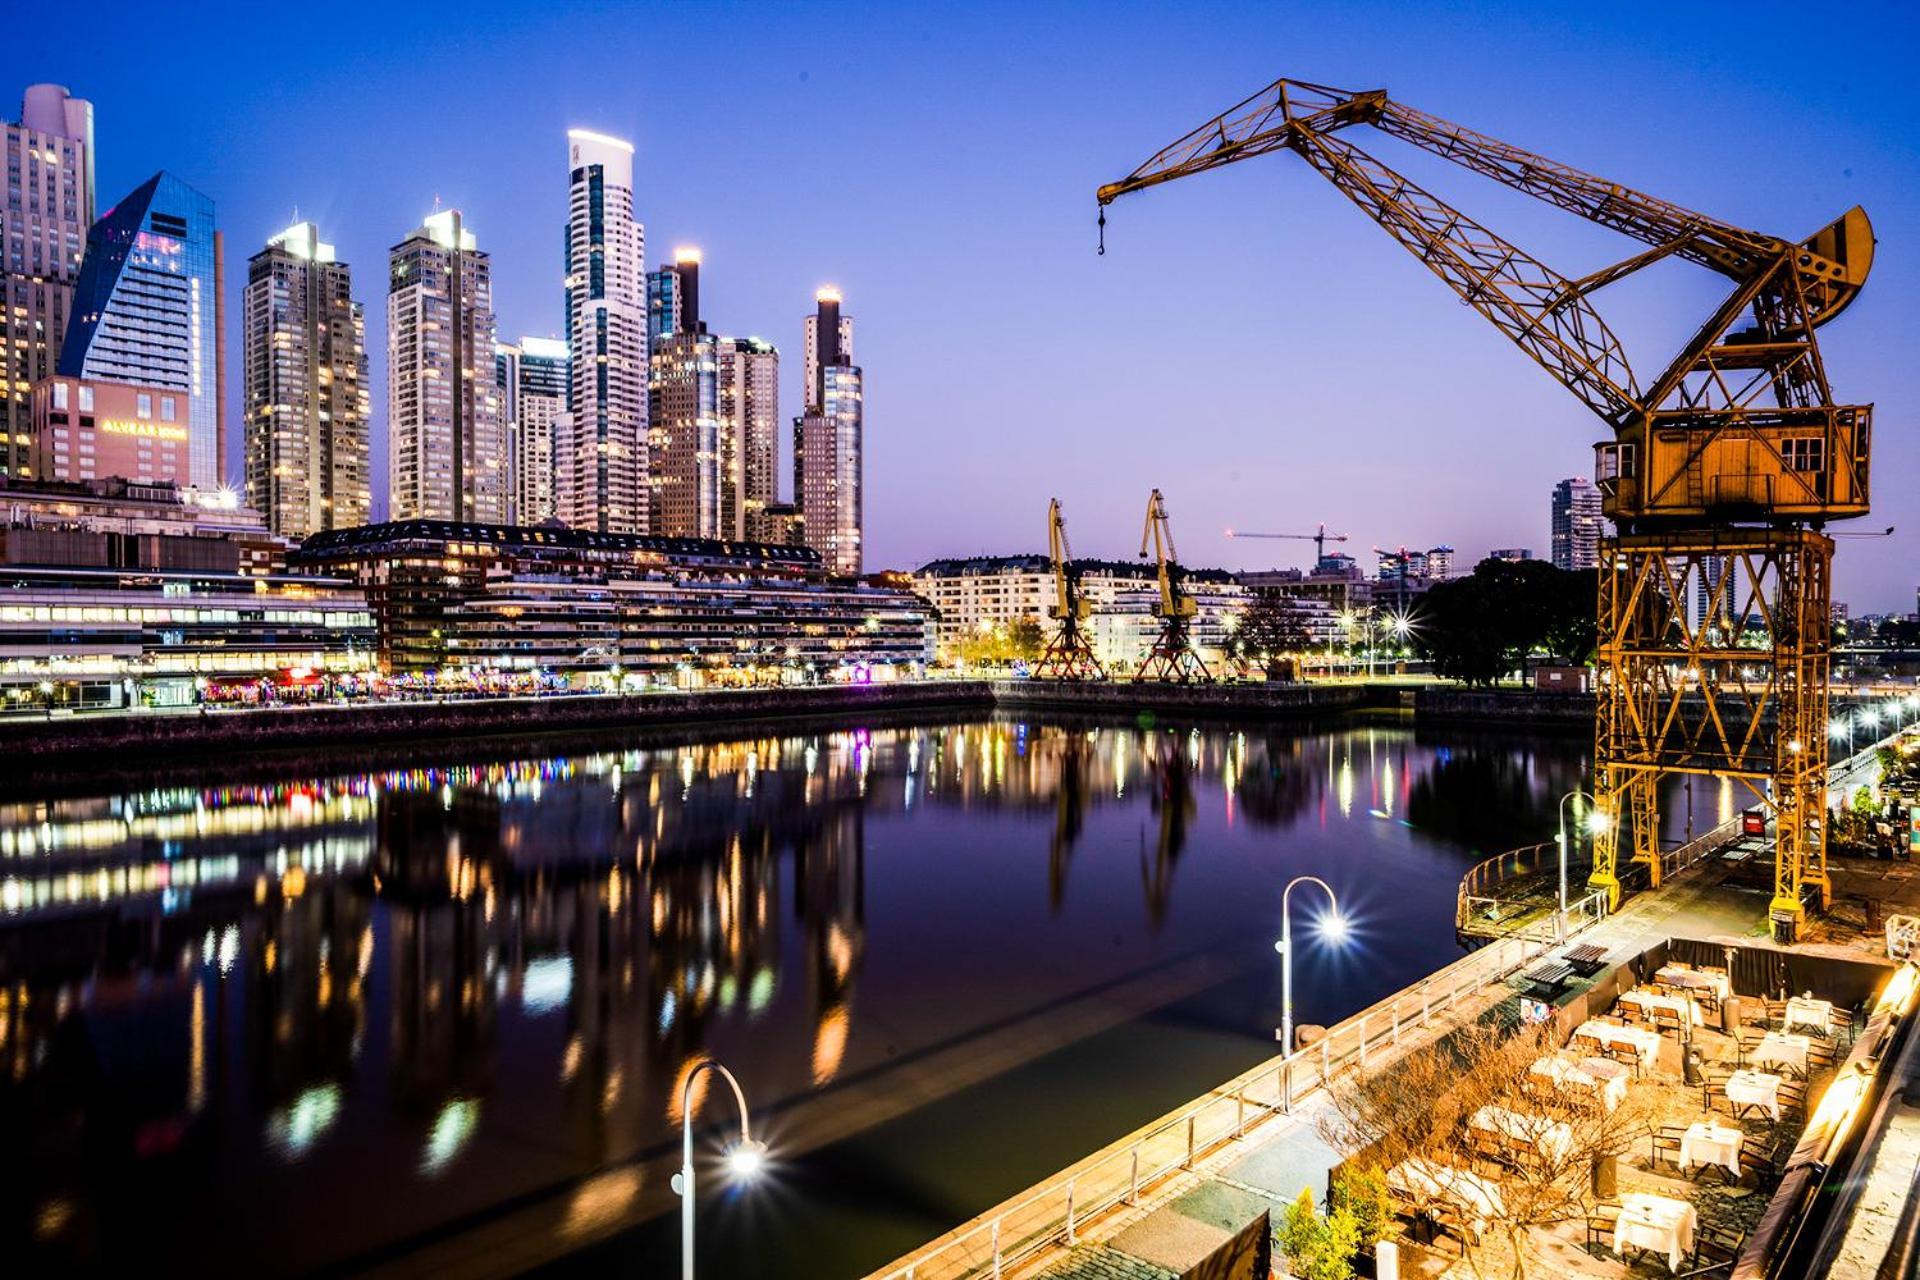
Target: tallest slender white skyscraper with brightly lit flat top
[(604, 452)]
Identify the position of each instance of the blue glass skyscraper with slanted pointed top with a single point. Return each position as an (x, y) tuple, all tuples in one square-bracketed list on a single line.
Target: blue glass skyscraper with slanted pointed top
[(147, 310)]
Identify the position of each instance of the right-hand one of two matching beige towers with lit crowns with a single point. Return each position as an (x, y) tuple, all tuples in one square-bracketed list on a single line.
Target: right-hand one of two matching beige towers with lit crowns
[(446, 437)]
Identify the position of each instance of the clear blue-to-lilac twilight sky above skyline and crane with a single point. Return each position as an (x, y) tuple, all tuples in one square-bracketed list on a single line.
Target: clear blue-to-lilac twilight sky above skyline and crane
[(1251, 344)]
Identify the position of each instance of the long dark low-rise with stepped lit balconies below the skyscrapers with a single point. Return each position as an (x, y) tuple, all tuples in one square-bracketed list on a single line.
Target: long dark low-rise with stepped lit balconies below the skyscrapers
[(640, 609)]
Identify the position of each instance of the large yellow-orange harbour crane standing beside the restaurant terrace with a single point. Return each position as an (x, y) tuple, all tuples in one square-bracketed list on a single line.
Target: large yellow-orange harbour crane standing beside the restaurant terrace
[(1719, 473)]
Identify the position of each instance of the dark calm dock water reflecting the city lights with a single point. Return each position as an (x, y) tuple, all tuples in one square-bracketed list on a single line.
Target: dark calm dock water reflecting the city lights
[(285, 1028)]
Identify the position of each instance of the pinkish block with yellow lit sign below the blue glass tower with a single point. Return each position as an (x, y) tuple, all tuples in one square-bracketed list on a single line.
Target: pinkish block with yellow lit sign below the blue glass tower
[(93, 431)]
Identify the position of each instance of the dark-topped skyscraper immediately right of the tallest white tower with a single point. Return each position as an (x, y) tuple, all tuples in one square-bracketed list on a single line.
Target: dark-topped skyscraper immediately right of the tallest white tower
[(683, 404)]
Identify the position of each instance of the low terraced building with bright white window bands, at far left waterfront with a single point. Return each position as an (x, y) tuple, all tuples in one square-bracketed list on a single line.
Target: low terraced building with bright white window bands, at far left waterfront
[(118, 594)]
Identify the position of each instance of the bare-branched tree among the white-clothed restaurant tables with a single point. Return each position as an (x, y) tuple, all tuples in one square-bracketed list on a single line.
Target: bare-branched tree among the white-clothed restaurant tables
[(1422, 1106)]
